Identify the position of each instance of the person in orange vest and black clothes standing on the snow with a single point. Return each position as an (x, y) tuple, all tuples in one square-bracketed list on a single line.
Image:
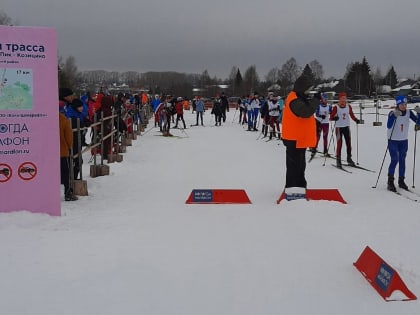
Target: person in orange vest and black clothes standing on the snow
[(298, 134)]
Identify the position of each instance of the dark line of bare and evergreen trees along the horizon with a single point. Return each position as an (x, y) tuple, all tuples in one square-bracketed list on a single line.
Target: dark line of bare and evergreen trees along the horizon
[(358, 78)]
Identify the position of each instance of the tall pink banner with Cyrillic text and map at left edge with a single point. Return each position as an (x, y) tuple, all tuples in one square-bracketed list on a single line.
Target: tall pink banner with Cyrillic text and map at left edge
[(29, 135)]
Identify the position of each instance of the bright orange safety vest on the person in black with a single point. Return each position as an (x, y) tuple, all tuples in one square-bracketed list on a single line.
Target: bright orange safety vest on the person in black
[(303, 130)]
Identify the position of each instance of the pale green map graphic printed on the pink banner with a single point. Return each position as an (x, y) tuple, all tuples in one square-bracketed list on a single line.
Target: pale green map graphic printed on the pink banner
[(16, 89)]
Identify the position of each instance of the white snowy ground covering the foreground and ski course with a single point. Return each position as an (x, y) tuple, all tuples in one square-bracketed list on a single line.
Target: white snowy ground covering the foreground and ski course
[(134, 247)]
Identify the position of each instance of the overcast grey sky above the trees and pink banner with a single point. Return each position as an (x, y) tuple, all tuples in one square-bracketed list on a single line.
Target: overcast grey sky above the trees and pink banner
[(194, 35)]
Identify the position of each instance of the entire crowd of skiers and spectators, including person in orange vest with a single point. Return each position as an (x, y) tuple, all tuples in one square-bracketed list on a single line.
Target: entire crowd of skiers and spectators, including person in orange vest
[(303, 119)]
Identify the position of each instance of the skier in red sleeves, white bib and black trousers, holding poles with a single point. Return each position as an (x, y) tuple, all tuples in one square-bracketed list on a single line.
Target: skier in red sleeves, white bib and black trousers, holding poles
[(341, 114)]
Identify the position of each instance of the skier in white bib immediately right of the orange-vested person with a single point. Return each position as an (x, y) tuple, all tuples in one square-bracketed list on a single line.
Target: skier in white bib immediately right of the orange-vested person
[(322, 115)]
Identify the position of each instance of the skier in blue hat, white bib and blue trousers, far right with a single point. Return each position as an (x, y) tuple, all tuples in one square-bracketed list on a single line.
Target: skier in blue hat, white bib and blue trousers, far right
[(397, 133)]
